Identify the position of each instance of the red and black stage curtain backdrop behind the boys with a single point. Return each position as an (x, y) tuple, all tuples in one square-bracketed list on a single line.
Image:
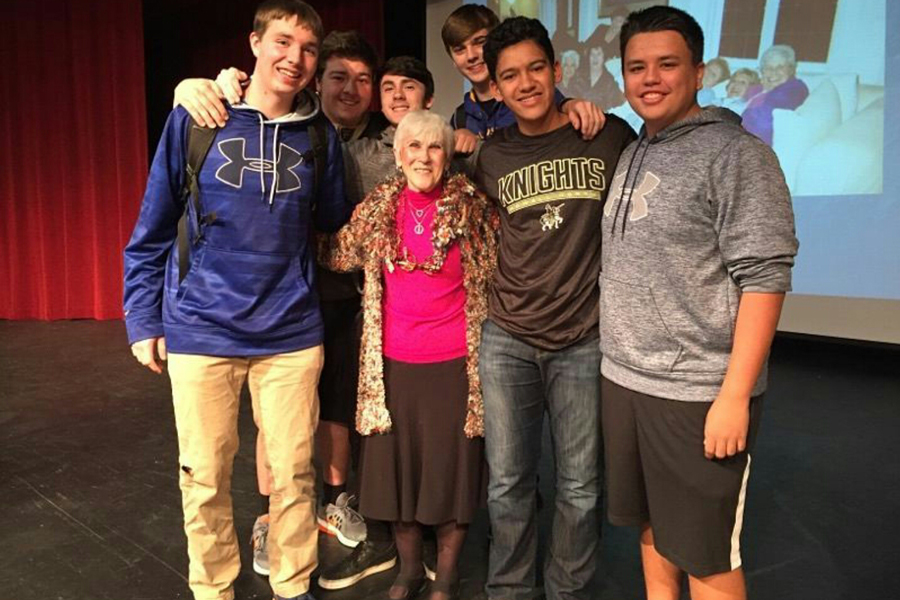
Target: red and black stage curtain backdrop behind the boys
[(73, 131)]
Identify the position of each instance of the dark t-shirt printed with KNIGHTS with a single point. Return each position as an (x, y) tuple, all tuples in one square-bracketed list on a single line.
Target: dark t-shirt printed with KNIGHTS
[(550, 190)]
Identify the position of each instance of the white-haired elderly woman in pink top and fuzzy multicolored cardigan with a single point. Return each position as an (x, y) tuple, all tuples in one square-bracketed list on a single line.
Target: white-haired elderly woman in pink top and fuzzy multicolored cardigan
[(426, 243)]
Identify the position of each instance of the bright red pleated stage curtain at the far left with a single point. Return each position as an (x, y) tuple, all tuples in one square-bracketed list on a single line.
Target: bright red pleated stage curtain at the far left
[(73, 154)]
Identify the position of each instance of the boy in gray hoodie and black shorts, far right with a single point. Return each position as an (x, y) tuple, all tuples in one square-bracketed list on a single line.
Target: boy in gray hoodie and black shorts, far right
[(697, 254)]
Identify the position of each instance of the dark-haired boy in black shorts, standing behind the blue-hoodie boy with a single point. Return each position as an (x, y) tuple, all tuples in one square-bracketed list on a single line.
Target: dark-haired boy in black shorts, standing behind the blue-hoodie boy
[(345, 79)]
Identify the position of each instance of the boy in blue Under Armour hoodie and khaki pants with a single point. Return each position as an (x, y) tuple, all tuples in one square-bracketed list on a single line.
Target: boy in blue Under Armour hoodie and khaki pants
[(245, 309)]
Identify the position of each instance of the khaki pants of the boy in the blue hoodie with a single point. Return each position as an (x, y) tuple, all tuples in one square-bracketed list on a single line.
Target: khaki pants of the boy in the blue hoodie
[(206, 393)]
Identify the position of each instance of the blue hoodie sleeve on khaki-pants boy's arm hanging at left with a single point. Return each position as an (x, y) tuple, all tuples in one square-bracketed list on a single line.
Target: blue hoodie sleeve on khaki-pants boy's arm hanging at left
[(155, 231)]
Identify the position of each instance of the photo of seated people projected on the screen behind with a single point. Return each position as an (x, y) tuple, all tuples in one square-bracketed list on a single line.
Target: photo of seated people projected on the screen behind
[(807, 76)]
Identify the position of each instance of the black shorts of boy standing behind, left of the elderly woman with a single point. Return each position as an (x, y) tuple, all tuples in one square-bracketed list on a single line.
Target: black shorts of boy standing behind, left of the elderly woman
[(340, 372)]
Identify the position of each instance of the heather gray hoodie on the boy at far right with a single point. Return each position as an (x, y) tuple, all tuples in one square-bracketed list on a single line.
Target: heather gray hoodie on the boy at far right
[(697, 215)]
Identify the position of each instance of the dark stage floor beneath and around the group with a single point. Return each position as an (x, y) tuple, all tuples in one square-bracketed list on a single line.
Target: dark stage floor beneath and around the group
[(91, 507)]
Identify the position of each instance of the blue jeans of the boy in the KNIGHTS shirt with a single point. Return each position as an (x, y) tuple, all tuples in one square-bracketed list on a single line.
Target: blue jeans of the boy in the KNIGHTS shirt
[(521, 382)]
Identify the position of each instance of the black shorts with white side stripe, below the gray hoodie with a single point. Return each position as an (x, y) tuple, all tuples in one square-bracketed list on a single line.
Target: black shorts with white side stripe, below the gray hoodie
[(656, 473)]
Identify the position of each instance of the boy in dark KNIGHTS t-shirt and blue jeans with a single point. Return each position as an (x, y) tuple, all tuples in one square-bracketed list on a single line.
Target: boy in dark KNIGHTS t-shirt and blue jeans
[(539, 349)]
